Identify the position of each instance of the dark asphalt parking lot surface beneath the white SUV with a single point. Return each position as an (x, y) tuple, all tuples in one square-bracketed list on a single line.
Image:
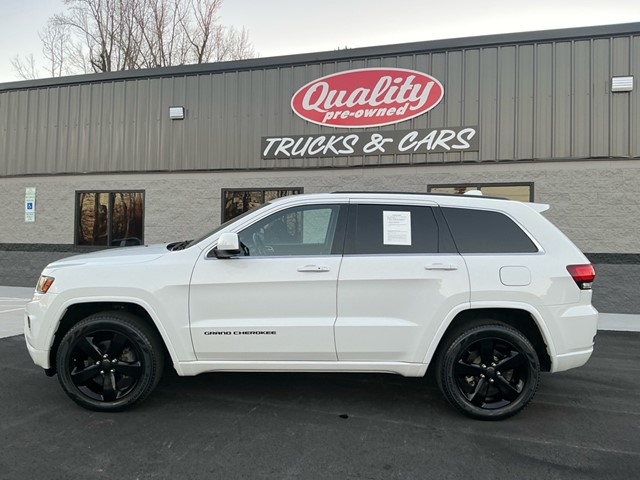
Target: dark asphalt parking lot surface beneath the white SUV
[(582, 424)]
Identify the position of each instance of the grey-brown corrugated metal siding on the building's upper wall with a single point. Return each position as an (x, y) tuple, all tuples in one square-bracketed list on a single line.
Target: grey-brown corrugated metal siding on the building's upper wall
[(533, 101)]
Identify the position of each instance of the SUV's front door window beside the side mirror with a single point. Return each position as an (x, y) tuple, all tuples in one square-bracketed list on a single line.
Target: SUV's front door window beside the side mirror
[(307, 230)]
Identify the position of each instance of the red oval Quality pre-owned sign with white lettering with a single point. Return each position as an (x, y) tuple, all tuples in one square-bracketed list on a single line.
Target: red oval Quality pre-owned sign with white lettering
[(368, 97)]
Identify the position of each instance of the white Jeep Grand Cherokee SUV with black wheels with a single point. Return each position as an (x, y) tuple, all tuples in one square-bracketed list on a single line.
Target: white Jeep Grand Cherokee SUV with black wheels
[(485, 290)]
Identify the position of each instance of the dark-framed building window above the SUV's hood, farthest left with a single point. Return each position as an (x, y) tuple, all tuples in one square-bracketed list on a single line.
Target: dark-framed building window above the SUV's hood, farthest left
[(113, 219)]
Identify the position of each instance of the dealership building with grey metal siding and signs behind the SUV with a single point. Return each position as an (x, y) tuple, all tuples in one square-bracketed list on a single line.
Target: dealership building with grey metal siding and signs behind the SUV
[(157, 155)]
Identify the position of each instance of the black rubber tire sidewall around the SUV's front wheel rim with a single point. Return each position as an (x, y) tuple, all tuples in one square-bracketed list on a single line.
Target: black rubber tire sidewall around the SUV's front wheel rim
[(146, 346)]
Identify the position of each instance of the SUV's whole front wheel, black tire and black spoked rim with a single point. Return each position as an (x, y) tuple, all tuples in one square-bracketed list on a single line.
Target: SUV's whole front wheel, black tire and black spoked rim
[(109, 361)]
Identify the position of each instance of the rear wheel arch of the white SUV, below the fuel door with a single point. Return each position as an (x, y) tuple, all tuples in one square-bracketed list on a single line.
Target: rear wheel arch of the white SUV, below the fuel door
[(518, 317)]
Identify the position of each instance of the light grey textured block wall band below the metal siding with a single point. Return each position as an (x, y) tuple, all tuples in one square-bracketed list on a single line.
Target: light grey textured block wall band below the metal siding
[(596, 203)]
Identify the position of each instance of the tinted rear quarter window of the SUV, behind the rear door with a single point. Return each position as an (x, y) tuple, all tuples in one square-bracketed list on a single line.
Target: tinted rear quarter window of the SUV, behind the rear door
[(482, 231)]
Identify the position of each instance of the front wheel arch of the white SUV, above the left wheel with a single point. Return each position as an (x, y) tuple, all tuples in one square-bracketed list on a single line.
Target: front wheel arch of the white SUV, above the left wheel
[(76, 312)]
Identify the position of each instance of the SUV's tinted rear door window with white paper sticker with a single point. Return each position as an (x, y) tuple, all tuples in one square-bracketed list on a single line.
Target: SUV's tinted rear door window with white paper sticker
[(393, 229)]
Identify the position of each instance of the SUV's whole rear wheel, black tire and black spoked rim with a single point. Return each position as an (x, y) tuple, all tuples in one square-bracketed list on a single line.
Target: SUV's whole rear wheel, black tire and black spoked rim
[(488, 371)]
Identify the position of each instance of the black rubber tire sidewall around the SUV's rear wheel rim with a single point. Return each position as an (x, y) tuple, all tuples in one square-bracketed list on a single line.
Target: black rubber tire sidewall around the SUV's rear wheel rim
[(448, 383)]
